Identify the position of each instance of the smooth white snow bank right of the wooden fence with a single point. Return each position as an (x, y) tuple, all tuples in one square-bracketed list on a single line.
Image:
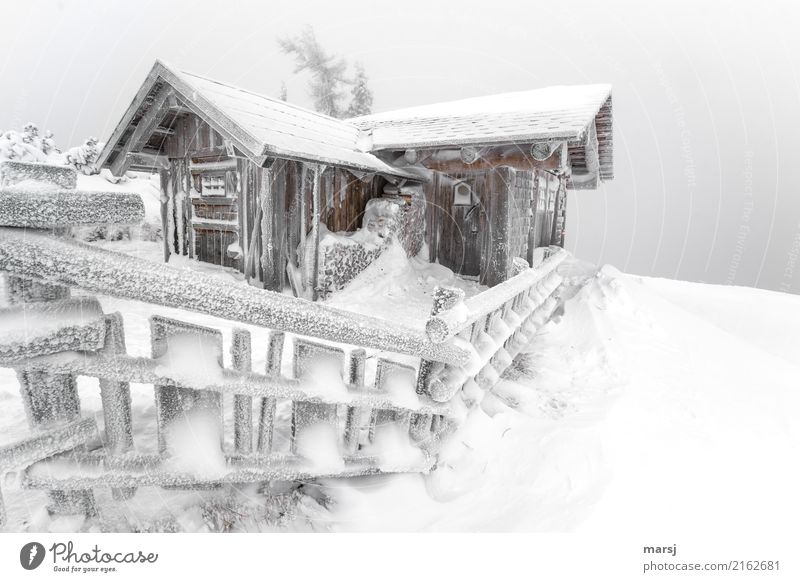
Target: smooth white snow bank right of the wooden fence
[(626, 412)]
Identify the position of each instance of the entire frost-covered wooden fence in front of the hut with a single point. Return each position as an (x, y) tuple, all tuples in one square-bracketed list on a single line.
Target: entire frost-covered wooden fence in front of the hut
[(378, 397)]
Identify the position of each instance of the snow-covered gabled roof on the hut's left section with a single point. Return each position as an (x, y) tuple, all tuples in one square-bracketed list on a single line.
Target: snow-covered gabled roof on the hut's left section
[(261, 126)]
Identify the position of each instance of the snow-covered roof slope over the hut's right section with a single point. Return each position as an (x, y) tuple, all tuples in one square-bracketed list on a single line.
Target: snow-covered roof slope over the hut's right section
[(562, 112)]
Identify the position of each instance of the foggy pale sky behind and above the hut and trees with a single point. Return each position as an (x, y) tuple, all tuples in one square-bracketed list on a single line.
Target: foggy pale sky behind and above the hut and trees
[(706, 98)]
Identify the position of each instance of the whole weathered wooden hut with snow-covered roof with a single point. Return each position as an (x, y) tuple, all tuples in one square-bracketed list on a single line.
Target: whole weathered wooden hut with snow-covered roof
[(255, 183)]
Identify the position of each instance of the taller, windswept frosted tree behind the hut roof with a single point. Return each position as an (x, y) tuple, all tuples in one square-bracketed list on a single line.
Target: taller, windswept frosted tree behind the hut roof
[(327, 71)]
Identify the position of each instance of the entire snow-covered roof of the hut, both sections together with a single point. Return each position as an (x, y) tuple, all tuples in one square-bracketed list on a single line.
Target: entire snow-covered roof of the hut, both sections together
[(262, 127)]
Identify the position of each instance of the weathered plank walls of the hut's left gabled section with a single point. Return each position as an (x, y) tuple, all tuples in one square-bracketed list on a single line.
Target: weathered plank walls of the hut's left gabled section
[(190, 144)]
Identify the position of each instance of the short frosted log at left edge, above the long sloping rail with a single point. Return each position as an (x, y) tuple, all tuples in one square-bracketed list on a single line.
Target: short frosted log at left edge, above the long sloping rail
[(44, 207)]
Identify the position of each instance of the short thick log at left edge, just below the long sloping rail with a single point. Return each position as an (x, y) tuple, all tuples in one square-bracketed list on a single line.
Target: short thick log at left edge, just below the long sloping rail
[(37, 329)]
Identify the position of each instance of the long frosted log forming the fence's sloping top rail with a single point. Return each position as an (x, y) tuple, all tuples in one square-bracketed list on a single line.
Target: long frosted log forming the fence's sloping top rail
[(78, 265)]
